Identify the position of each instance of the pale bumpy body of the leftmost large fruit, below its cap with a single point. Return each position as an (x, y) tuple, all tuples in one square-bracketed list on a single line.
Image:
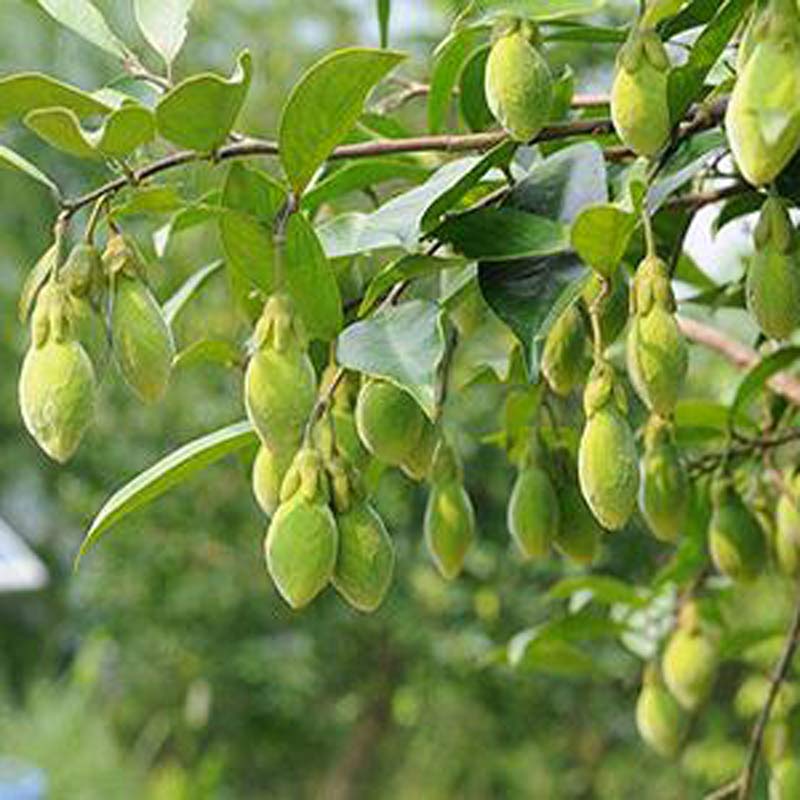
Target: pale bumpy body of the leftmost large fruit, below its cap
[(56, 396)]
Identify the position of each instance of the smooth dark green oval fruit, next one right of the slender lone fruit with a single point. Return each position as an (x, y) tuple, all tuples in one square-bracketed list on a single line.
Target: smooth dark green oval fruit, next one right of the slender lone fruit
[(533, 514)]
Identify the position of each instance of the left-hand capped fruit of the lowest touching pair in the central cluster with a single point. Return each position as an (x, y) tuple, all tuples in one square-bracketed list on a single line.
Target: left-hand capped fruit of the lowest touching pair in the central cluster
[(302, 538)]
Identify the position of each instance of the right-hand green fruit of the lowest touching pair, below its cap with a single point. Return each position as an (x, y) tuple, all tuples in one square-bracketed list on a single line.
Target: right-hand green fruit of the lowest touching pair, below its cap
[(365, 563)]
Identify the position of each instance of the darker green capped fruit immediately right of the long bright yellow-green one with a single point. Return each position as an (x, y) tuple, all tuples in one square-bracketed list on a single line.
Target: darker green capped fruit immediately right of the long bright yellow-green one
[(665, 492)]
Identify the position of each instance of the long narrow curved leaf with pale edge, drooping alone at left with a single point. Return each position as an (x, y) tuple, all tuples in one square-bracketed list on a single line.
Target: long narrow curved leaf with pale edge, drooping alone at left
[(171, 471)]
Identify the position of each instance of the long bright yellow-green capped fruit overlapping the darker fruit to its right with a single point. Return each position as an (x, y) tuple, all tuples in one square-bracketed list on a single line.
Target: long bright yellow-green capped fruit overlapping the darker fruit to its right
[(608, 465)]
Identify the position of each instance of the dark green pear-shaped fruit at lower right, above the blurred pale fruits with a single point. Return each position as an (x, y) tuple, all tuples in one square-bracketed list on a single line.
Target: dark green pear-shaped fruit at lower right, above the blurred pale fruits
[(736, 541)]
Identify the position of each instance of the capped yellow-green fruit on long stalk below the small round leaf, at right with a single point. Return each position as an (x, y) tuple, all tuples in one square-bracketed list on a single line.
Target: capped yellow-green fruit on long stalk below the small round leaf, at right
[(657, 354)]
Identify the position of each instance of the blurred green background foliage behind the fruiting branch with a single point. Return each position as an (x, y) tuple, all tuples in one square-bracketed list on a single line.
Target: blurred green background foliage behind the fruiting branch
[(167, 667)]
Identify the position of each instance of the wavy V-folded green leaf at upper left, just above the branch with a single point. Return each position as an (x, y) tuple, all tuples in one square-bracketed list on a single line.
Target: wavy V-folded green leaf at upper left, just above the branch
[(124, 131)]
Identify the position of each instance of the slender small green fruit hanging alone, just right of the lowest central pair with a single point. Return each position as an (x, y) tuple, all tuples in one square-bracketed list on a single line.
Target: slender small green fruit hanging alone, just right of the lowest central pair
[(449, 523)]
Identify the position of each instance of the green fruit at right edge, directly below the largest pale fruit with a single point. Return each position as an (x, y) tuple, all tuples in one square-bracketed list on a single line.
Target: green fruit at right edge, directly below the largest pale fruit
[(773, 277)]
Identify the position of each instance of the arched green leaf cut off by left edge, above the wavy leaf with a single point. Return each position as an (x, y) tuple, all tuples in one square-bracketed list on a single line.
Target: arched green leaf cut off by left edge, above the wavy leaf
[(25, 92)]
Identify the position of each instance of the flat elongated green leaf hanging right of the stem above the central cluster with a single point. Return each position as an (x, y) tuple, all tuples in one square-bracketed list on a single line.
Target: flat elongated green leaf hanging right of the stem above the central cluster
[(311, 281)]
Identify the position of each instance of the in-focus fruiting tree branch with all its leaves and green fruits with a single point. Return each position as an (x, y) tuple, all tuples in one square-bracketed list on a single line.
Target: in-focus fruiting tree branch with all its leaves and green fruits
[(547, 260)]
